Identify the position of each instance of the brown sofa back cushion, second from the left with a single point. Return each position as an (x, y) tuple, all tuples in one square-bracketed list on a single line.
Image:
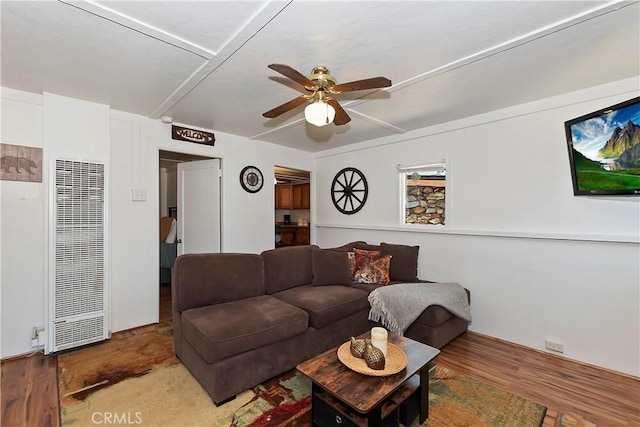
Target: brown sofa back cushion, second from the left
[(287, 267)]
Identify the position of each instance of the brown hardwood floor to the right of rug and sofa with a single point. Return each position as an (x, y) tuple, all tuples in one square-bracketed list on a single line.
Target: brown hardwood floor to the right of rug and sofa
[(603, 397)]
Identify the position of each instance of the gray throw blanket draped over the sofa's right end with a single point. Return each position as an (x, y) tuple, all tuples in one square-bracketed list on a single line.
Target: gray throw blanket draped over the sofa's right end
[(397, 306)]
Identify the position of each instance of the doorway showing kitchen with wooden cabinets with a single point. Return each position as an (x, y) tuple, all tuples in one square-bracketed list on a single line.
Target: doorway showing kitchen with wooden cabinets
[(292, 206)]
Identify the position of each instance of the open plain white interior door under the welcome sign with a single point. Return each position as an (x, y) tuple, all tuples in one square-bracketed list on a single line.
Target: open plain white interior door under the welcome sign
[(199, 206)]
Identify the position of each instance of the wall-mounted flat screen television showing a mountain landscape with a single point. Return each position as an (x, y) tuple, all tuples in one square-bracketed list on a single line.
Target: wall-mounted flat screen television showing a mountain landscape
[(604, 151)]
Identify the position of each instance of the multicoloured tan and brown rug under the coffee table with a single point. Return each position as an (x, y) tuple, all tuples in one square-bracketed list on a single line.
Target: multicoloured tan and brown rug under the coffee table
[(135, 380)]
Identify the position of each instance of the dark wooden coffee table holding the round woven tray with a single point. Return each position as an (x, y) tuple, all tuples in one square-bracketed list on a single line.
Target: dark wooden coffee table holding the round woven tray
[(341, 396)]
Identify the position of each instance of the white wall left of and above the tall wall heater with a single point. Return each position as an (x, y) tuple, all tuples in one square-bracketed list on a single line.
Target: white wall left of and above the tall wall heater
[(64, 128)]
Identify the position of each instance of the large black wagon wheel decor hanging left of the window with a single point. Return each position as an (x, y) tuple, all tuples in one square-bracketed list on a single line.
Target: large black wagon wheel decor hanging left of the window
[(349, 191)]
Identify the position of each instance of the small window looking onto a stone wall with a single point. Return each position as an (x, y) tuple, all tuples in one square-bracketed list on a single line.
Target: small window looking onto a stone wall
[(423, 193)]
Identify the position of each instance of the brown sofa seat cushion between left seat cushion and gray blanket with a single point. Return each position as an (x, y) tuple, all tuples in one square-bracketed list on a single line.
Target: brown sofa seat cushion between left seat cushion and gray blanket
[(326, 304)]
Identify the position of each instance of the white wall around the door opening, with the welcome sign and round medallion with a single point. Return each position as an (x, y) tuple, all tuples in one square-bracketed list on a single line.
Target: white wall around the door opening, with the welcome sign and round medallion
[(247, 219)]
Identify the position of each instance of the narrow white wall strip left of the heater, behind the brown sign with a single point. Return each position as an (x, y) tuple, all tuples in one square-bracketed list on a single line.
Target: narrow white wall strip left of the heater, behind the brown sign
[(22, 230)]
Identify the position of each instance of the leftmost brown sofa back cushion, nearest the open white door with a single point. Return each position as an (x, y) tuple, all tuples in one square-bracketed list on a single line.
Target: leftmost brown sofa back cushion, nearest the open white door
[(214, 278)]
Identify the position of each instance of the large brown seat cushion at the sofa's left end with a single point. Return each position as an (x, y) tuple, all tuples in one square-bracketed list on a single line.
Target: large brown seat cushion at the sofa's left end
[(219, 331)]
